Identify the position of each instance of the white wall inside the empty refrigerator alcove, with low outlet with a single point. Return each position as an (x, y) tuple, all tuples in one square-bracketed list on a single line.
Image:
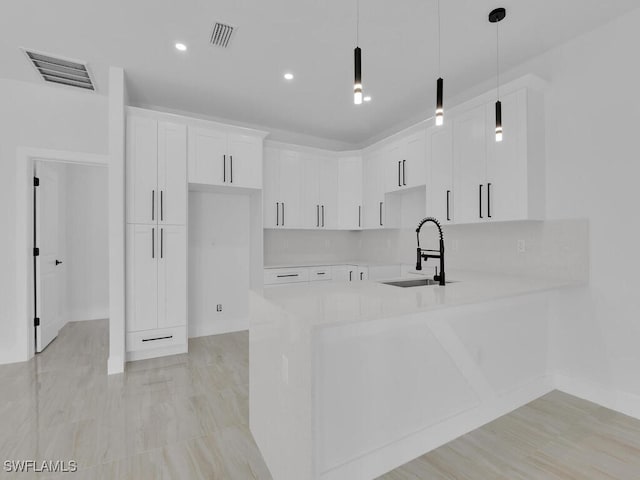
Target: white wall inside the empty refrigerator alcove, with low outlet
[(219, 261)]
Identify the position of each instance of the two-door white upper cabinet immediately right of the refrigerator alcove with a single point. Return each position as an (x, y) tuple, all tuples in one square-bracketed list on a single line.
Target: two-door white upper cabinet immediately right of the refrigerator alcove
[(283, 189)]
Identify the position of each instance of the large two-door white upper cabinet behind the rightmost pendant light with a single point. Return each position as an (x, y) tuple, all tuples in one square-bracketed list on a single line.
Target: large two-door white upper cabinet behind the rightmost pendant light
[(499, 181)]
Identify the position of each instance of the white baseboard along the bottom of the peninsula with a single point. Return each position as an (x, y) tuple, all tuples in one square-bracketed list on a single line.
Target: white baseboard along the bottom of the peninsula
[(377, 462)]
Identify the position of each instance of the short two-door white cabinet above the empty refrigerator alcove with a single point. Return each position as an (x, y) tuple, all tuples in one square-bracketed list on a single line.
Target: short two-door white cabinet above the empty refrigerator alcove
[(220, 158)]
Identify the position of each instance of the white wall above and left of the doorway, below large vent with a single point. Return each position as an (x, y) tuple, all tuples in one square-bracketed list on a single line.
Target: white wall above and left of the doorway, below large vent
[(44, 117)]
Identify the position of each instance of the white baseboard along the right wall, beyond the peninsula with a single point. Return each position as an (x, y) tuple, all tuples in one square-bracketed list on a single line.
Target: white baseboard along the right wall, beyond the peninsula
[(623, 402)]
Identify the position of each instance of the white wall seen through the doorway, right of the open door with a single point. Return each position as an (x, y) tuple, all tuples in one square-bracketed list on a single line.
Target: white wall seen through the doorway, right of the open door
[(87, 231)]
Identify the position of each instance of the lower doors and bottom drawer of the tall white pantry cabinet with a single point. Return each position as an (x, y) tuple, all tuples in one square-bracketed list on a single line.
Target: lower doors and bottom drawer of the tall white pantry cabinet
[(156, 292)]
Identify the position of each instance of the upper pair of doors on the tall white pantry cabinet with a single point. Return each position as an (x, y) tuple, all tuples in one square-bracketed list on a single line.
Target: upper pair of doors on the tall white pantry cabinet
[(156, 171)]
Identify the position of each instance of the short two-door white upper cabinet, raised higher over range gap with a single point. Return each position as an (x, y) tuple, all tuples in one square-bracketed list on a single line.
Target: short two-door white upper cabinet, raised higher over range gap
[(406, 161)]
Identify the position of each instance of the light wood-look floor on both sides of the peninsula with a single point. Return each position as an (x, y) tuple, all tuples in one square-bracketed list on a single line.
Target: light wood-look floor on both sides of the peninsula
[(186, 417)]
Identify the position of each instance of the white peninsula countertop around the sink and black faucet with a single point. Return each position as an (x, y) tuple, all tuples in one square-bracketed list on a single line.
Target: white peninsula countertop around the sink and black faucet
[(325, 303)]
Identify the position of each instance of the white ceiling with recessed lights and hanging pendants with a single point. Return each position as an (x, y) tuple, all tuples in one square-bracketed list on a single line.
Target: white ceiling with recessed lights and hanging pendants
[(314, 39)]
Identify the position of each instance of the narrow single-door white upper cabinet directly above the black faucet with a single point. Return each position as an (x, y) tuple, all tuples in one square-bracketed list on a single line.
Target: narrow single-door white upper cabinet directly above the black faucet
[(440, 193)]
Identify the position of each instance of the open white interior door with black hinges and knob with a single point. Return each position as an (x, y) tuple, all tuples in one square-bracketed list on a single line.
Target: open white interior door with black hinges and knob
[(49, 268)]
